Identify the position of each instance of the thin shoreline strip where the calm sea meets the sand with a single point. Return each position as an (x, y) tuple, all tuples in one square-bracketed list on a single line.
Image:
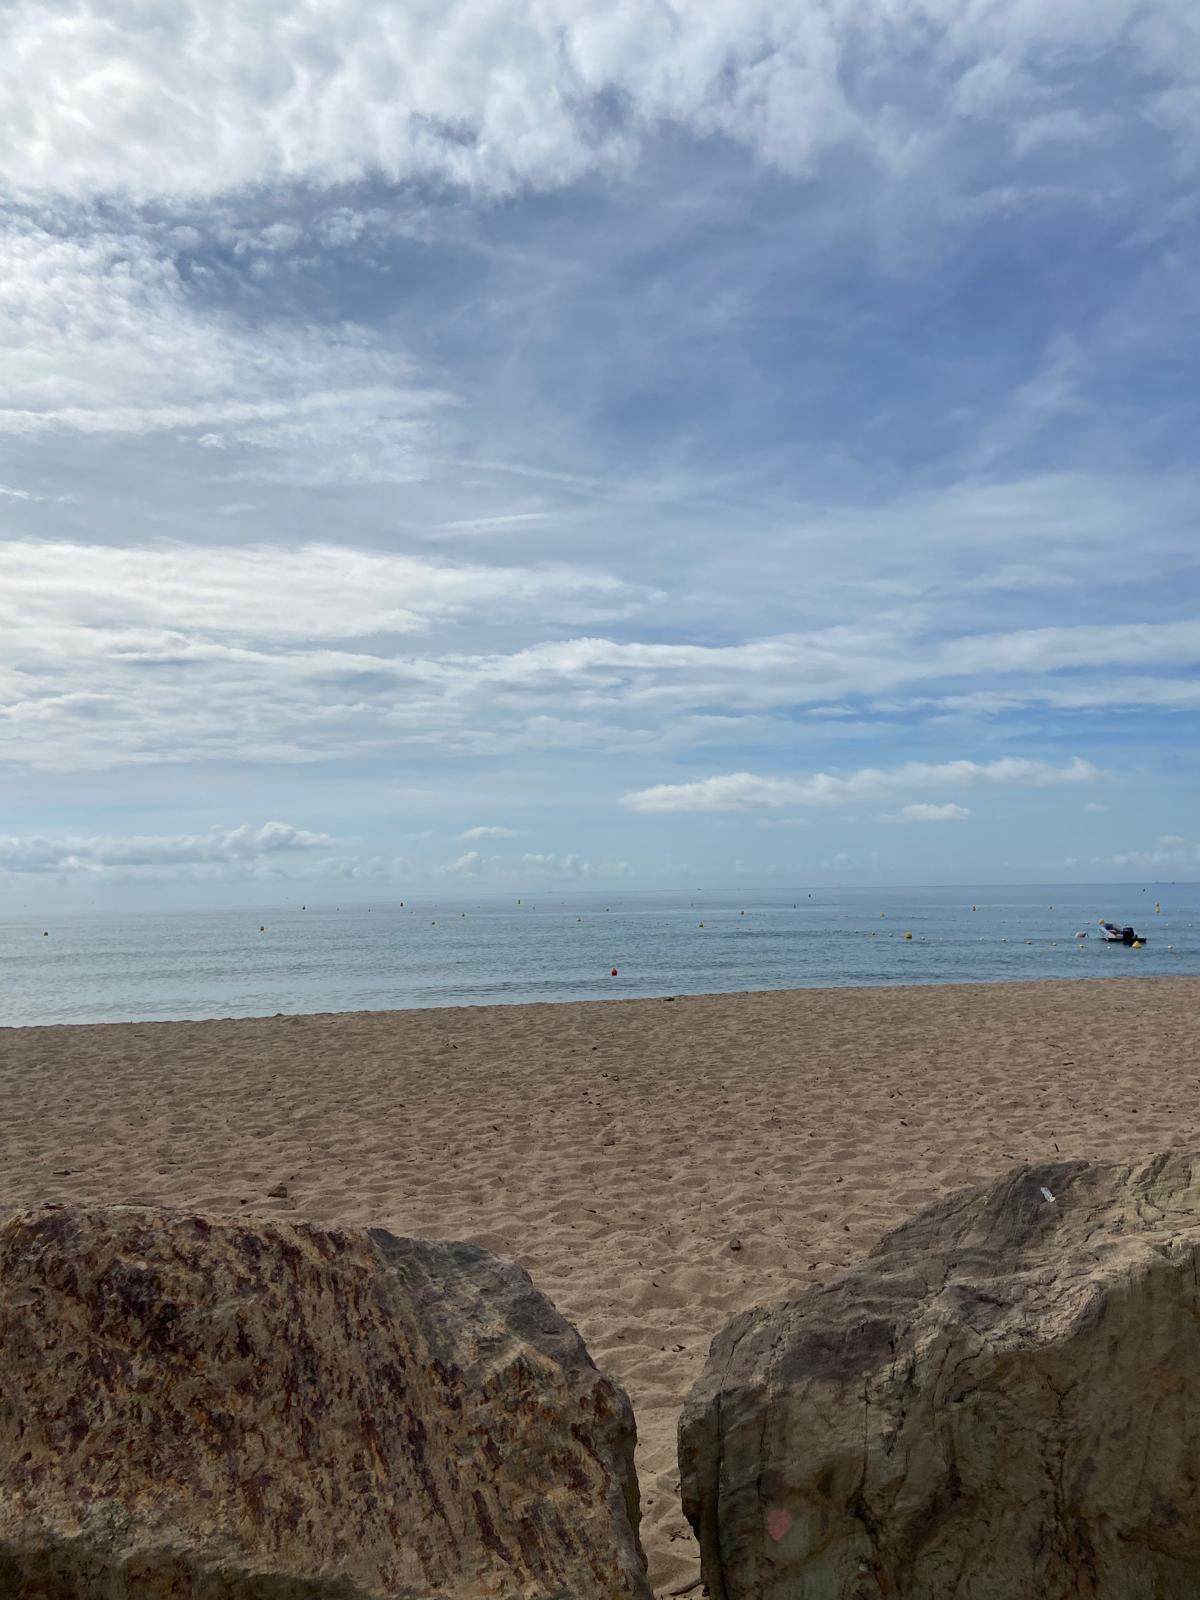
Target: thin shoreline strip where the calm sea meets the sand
[(657, 999)]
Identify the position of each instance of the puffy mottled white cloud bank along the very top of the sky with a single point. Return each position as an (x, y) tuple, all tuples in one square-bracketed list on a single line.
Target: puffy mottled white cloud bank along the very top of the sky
[(220, 97)]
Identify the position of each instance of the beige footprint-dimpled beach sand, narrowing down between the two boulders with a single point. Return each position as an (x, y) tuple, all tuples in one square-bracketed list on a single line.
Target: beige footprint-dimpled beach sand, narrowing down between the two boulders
[(617, 1148)]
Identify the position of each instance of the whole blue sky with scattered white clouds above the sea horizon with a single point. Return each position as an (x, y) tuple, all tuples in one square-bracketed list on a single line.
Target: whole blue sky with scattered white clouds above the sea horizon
[(561, 444)]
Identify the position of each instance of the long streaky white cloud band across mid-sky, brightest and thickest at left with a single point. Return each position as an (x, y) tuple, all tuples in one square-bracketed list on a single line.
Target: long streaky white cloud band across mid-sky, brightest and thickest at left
[(116, 654)]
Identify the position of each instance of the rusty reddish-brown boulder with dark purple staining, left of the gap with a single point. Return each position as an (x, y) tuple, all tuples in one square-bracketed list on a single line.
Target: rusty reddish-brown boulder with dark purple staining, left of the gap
[(214, 1409)]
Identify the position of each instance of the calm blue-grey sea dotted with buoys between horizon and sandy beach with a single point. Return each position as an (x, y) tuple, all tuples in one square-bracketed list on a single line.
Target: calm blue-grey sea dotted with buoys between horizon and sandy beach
[(100, 969)]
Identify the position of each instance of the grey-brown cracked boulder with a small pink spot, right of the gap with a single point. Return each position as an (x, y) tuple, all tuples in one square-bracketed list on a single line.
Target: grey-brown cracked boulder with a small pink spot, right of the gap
[(1002, 1402)]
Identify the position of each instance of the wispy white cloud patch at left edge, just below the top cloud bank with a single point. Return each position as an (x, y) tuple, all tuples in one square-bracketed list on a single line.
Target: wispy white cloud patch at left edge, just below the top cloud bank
[(105, 335)]
